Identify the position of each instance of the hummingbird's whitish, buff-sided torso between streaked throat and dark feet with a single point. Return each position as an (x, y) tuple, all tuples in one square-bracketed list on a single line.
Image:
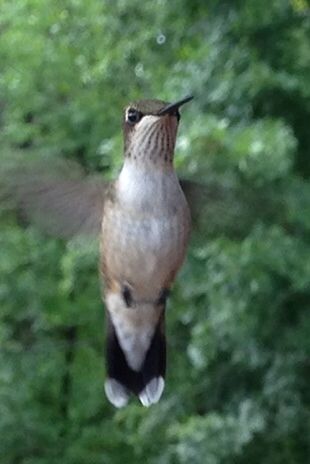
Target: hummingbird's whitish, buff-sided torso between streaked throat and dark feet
[(145, 232)]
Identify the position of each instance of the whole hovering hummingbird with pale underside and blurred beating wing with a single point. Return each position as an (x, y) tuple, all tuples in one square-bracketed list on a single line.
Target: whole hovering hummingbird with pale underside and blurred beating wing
[(143, 221)]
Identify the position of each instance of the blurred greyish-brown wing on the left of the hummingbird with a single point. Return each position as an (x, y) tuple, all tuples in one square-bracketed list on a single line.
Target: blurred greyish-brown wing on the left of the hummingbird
[(58, 197)]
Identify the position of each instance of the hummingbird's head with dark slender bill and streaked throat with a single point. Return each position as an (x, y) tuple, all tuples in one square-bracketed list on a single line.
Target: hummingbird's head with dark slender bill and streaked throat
[(150, 128)]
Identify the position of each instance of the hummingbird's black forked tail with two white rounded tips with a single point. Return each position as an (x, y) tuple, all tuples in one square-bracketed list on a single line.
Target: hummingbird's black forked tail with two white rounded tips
[(147, 381)]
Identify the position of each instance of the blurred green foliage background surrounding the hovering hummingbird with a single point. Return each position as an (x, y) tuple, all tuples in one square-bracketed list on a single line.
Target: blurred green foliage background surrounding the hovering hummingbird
[(238, 320)]
